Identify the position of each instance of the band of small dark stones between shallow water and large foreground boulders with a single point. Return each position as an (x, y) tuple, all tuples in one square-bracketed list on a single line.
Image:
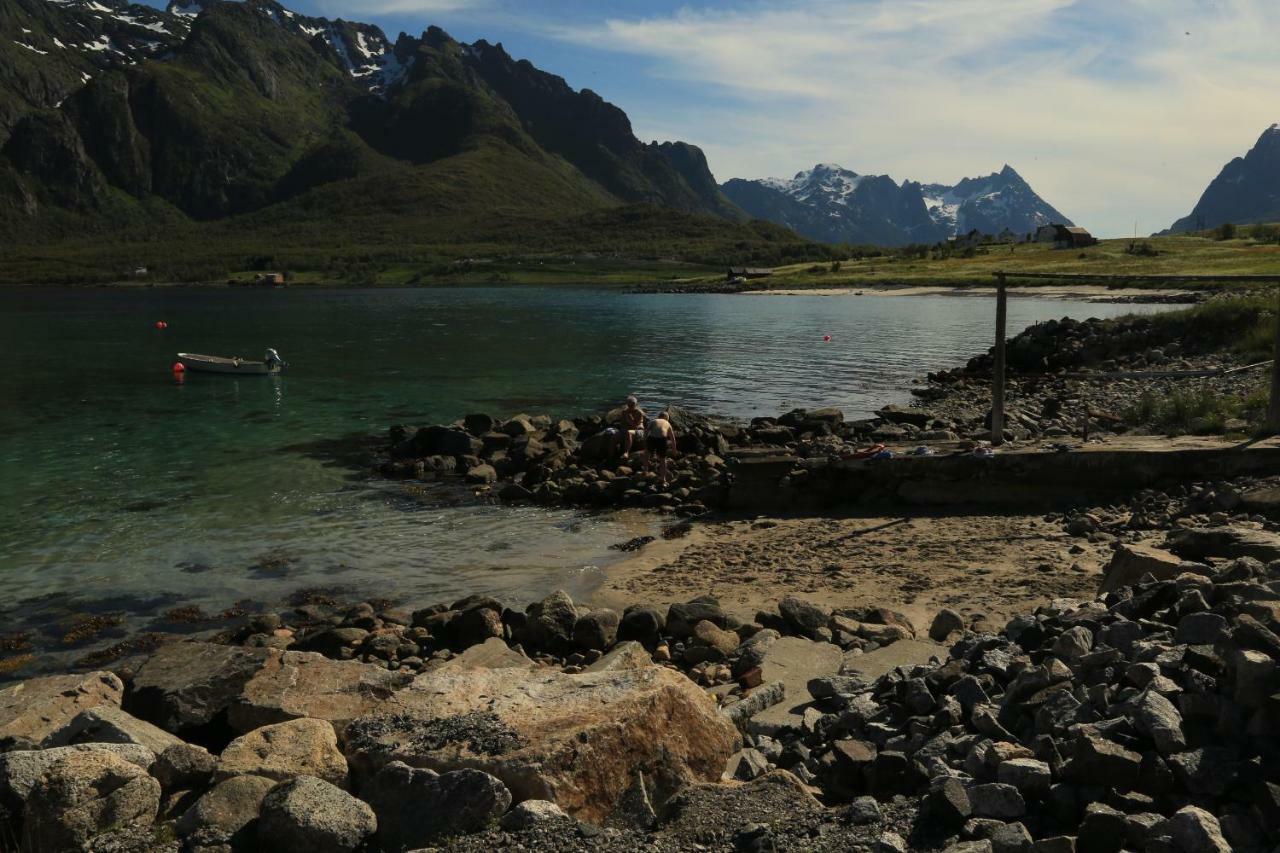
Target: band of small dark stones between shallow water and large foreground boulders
[(700, 637)]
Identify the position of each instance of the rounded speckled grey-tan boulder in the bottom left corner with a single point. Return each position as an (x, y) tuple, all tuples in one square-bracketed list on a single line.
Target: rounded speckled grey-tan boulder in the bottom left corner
[(85, 795)]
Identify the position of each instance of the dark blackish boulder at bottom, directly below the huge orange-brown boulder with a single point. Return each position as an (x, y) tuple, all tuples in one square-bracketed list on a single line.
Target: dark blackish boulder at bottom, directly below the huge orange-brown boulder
[(417, 808)]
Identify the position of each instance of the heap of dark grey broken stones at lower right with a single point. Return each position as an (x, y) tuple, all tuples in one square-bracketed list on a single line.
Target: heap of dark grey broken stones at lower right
[(1146, 720)]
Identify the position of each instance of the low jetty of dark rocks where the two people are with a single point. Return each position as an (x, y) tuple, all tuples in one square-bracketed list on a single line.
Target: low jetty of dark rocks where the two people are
[(577, 463)]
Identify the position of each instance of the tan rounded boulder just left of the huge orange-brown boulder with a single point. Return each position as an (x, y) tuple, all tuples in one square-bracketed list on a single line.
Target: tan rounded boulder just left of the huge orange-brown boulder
[(286, 750)]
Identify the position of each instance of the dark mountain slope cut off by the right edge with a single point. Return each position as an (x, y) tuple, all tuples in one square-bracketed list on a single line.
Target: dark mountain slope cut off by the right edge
[(1246, 191)]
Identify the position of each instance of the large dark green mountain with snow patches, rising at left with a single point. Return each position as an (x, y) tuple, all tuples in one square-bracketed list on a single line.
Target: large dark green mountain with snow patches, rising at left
[(252, 118)]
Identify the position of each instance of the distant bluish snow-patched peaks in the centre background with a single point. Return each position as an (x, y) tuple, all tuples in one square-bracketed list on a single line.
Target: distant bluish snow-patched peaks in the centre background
[(833, 204)]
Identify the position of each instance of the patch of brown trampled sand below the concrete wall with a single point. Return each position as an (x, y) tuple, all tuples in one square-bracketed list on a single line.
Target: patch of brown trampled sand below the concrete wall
[(918, 563)]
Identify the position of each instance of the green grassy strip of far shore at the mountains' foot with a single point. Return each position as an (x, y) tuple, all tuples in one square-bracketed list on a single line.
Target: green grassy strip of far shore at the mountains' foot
[(698, 264)]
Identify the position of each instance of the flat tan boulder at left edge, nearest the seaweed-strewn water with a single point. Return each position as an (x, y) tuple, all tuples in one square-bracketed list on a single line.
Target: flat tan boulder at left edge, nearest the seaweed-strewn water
[(34, 710)]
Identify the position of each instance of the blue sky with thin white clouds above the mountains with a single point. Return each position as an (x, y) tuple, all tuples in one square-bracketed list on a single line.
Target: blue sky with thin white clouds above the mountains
[(1118, 112)]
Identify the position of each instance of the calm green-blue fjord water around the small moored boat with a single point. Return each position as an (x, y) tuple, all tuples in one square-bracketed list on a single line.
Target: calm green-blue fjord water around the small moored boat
[(122, 490)]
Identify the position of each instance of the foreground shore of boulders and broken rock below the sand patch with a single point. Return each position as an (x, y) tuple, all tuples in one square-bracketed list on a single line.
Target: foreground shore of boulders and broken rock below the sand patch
[(1146, 719)]
